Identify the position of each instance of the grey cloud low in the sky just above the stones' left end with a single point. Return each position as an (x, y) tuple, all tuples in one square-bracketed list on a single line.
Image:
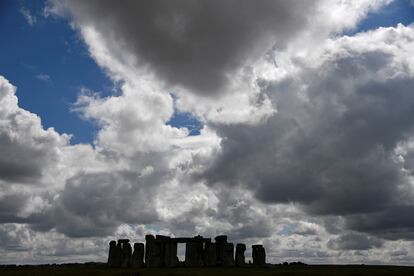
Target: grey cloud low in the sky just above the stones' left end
[(95, 204)]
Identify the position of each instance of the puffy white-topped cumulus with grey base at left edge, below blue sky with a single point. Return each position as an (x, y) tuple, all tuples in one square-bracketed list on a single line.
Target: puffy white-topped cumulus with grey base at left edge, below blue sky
[(26, 147)]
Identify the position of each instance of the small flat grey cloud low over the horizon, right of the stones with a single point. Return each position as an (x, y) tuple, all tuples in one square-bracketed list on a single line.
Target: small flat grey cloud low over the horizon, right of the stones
[(354, 241)]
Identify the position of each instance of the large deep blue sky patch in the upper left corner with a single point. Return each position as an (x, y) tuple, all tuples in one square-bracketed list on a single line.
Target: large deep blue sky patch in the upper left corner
[(49, 63)]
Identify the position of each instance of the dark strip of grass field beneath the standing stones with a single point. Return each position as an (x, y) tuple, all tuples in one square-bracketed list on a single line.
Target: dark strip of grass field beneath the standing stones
[(277, 270)]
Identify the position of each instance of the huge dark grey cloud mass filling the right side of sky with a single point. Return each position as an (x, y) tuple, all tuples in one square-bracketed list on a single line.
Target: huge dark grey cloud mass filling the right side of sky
[(333, 152)]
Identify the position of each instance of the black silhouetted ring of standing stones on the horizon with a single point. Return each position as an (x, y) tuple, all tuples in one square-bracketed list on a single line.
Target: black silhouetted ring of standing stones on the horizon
[(162, 251)]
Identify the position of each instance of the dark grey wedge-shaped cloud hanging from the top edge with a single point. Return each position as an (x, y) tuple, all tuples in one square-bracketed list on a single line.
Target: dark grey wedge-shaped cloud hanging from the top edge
[(195, 44)]
